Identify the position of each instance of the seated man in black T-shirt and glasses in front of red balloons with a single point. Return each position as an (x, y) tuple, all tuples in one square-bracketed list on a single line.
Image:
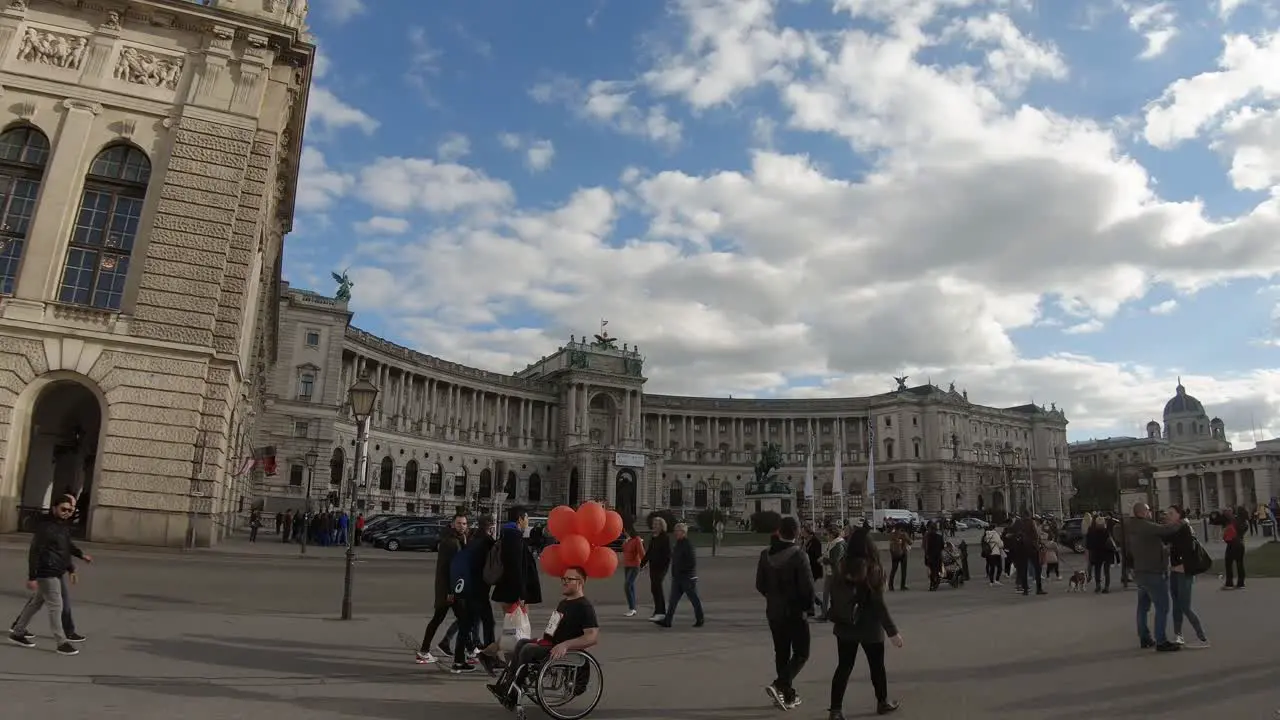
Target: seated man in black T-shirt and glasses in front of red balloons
[(572, 627)]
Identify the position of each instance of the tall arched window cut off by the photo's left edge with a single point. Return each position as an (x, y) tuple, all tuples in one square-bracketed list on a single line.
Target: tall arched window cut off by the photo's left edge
[(24, 153)]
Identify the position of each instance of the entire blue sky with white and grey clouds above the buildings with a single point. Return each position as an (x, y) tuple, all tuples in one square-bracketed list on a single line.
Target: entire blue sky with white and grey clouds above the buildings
[(1069, 203)]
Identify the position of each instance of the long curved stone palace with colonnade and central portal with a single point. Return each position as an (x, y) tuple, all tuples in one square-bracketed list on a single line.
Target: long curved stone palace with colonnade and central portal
[(578, 426)]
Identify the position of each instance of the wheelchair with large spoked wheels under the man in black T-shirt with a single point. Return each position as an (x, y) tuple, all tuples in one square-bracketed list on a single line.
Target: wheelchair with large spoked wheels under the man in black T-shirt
[(555, 686)]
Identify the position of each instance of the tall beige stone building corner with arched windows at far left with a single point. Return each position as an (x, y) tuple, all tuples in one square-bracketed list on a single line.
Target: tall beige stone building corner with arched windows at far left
[(149, 154)]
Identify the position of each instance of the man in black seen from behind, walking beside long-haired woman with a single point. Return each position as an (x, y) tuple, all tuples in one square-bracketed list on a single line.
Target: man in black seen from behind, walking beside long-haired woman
[(785, 581)]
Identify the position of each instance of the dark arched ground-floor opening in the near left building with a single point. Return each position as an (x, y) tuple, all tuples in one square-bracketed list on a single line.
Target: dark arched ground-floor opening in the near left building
[(62, 453)]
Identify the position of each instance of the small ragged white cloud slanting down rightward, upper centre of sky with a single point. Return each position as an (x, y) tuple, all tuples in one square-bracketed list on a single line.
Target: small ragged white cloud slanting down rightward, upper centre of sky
[(610, 103)]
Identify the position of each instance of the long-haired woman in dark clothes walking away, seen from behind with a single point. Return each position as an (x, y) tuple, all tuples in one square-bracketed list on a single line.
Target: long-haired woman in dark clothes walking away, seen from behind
[(861, 619)]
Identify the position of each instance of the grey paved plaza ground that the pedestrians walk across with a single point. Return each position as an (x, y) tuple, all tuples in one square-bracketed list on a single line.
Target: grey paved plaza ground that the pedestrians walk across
[(253, 634)]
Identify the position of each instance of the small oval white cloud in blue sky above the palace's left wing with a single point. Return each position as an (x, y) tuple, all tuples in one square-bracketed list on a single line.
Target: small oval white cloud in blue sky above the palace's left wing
[(404, 185)]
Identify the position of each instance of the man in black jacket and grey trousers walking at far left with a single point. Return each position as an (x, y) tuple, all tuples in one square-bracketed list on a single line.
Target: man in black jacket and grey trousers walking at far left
[(48, 560)]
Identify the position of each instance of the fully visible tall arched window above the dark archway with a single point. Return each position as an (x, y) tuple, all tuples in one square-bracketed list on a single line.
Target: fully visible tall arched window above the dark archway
[(98, 257)]
